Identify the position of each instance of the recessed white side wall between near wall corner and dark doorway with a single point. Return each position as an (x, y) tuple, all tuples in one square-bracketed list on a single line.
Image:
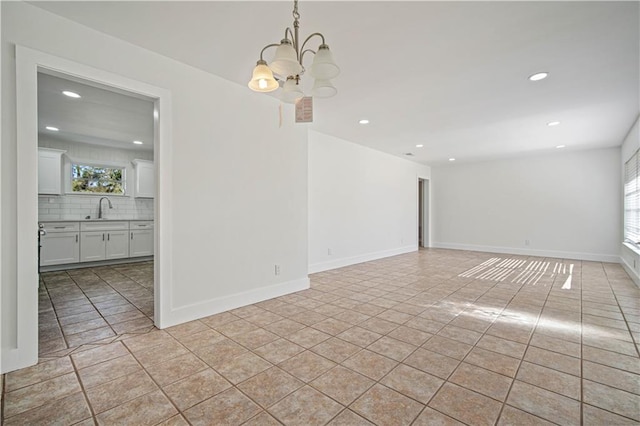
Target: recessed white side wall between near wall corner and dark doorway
[(363, 204)]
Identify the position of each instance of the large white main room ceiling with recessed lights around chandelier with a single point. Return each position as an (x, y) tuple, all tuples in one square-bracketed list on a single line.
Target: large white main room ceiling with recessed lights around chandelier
[(449, 75)]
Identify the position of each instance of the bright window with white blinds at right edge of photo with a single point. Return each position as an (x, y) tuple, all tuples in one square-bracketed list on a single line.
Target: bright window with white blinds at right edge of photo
[(632, 199)]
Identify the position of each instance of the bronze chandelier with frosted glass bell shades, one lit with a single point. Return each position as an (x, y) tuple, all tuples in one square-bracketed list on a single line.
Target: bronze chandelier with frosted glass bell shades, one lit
[(288, 68)]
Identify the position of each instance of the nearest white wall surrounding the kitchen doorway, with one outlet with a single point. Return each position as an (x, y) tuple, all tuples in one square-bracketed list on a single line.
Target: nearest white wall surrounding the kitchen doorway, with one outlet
[(239, 182)]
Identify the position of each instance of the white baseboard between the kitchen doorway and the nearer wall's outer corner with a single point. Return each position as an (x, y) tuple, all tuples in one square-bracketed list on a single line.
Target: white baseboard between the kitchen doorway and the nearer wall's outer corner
[(221, 304)]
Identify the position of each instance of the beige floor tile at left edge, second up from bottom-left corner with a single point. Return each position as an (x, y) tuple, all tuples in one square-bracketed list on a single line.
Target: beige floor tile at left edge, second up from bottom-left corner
[(36, 395)]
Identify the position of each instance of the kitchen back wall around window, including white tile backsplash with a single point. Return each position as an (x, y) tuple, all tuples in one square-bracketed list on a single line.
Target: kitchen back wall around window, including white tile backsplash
[(78, 206)]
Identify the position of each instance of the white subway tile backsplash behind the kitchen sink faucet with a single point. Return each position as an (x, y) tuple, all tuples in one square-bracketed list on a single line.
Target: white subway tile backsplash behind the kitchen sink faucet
[(78, 207)]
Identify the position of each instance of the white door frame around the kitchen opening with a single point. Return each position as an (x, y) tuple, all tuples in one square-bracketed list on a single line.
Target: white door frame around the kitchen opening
[(28, 63)]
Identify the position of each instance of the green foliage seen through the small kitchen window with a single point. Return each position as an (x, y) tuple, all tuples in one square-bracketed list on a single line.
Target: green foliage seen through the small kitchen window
[(96, 179)]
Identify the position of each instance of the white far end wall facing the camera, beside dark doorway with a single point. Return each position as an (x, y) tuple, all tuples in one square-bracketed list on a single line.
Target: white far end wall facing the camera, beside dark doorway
[(567, 204)]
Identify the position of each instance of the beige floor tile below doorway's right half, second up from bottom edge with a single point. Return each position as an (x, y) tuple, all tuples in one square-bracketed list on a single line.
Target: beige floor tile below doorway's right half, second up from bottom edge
[(111, 394)]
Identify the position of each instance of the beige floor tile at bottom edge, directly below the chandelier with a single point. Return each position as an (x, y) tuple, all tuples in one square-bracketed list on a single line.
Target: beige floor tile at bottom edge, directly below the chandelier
[(305, 406)]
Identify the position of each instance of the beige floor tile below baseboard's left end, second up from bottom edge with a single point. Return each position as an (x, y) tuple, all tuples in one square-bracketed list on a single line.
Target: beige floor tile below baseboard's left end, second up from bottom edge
[(196, 388)]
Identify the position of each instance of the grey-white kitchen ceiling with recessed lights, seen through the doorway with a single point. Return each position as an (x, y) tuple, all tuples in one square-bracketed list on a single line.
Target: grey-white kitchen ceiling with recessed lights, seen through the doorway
[(99, 117)]
